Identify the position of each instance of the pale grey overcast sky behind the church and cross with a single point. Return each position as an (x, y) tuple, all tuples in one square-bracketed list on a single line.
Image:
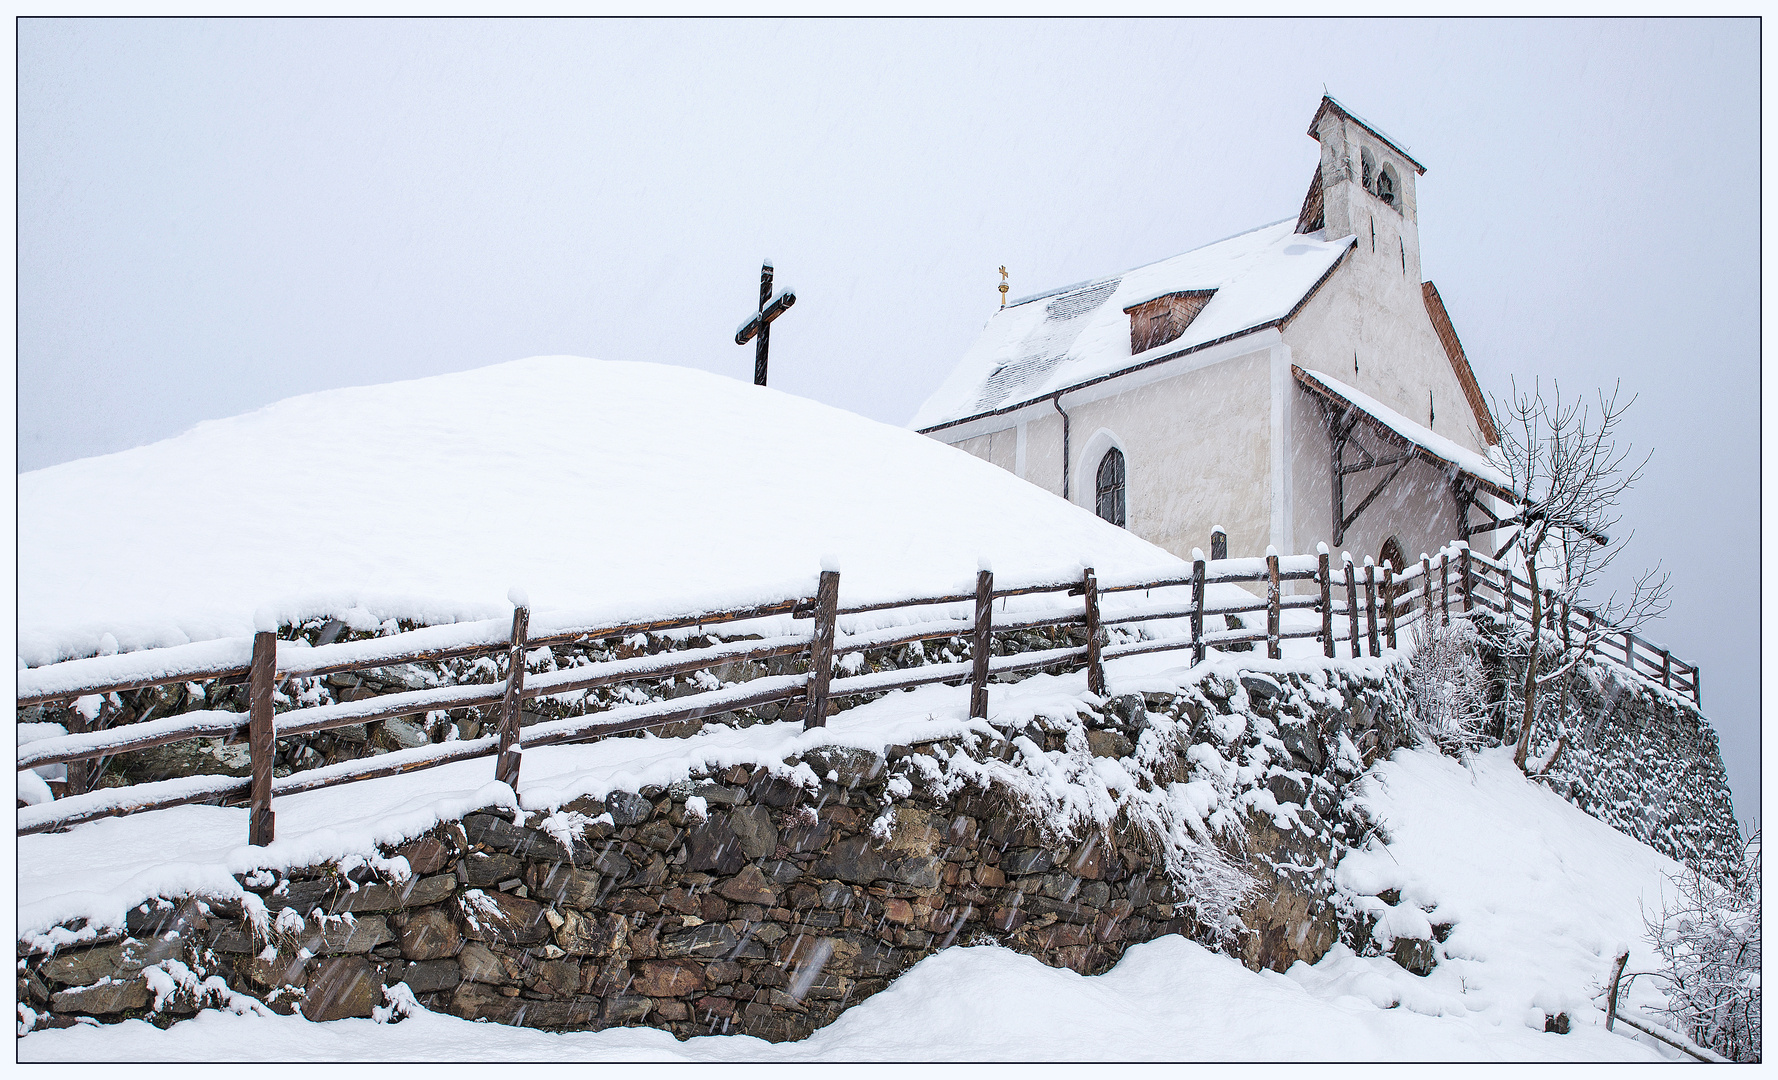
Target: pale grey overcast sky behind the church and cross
[(221, 214)]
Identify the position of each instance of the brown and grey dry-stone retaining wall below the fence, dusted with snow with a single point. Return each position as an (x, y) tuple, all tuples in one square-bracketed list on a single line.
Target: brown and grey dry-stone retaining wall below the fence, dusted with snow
[(742, 903)]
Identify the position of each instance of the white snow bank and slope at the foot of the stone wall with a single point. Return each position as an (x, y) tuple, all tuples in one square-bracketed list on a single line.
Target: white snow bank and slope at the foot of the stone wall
[(1541, 896)]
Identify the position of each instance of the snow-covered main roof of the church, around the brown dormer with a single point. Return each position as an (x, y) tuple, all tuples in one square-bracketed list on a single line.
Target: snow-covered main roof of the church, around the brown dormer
[(1078, 335)]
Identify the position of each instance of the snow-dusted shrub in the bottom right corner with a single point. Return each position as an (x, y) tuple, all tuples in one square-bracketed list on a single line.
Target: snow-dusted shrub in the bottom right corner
[(1708, 939)]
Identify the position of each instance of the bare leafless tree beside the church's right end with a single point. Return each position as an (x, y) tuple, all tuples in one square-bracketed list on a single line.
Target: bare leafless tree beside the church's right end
[(1569, 471)]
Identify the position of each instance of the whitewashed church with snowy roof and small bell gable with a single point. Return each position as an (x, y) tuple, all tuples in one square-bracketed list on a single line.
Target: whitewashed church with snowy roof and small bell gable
[(1295, 383)]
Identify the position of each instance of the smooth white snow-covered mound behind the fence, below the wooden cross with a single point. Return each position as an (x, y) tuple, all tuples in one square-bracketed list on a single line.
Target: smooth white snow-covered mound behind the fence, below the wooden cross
[(591, 485)]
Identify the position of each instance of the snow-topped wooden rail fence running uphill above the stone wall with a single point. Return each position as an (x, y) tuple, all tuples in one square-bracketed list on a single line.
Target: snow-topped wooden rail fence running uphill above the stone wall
[(1363, 606)]
